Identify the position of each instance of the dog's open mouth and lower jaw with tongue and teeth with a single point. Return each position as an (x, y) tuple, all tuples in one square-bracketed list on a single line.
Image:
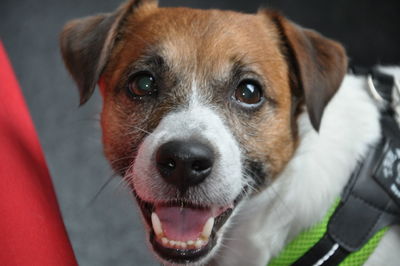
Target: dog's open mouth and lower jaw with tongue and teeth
[(174, 245)]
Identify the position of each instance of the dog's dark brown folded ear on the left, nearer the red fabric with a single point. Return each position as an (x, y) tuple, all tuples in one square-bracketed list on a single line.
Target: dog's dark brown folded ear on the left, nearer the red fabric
[(86, 45)]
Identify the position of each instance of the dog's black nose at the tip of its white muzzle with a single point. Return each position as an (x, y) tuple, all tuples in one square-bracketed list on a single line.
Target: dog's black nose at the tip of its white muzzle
[(184, 163)]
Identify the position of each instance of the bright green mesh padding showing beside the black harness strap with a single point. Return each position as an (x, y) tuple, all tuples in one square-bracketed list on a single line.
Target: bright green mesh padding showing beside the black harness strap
[(307, 239)]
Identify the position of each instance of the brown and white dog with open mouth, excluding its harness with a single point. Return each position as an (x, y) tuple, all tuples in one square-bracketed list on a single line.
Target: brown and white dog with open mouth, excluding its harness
[(235, 132)]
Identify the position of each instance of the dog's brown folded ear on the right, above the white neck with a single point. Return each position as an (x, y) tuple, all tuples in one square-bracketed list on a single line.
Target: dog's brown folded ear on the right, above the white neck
[(319, 64)]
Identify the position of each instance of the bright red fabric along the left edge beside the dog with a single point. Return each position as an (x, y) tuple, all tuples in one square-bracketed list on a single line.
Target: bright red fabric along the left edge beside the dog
[(31, 227)]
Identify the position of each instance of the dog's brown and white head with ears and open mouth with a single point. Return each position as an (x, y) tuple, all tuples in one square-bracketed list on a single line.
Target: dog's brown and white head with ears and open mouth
[(199, 108)]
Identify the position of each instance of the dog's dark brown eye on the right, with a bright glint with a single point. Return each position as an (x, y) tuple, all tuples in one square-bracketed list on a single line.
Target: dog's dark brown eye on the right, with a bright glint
[(248, 92)]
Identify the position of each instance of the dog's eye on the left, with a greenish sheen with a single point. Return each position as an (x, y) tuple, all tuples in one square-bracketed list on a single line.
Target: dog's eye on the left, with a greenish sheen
[(142, 84)]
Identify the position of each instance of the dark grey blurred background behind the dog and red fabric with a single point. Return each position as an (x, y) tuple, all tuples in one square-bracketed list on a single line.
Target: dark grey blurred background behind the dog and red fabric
[(100, 215)]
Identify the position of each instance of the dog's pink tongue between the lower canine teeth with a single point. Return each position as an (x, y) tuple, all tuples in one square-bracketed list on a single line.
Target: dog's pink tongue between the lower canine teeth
[(182, 224)]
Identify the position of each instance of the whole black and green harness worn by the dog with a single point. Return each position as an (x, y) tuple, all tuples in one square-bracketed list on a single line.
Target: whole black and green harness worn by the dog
[(370, 202)]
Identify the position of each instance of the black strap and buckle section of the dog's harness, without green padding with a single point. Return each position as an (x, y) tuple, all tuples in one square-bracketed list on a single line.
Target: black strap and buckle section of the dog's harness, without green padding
[(371, 199)]
